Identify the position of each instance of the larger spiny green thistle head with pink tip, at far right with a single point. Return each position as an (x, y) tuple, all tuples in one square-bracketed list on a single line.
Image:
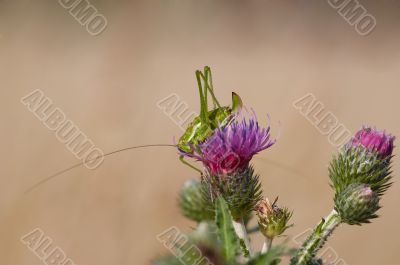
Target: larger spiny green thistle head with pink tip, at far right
[(365, 159)]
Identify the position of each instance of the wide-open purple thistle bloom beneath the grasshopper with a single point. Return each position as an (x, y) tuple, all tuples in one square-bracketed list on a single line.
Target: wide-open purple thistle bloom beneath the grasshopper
[(230, 149)]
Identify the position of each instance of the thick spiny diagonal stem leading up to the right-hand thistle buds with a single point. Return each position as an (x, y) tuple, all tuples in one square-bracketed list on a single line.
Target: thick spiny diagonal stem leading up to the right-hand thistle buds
[(317, 239)]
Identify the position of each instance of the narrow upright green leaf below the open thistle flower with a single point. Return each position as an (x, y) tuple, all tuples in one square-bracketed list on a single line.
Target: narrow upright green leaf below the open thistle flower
[(226, 232)]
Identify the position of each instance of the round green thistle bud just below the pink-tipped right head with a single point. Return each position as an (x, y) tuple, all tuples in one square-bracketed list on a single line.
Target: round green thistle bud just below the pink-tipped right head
[(357, 204)]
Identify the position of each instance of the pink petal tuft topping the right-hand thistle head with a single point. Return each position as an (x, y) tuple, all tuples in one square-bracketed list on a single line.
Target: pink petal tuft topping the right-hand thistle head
[(374, 140)]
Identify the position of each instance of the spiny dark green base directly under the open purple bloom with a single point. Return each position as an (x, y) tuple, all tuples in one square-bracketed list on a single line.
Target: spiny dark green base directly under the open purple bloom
[(241, 191)]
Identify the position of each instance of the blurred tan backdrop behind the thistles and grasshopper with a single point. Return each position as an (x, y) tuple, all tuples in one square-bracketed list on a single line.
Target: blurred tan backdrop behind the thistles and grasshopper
[(270, 52)]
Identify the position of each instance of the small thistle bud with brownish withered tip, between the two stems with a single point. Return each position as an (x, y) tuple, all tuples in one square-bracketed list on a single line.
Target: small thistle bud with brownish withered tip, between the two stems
[(272, 220)]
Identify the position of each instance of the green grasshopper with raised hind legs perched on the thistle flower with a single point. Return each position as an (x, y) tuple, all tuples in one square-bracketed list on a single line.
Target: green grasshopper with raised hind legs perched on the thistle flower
[(204, 125)]
